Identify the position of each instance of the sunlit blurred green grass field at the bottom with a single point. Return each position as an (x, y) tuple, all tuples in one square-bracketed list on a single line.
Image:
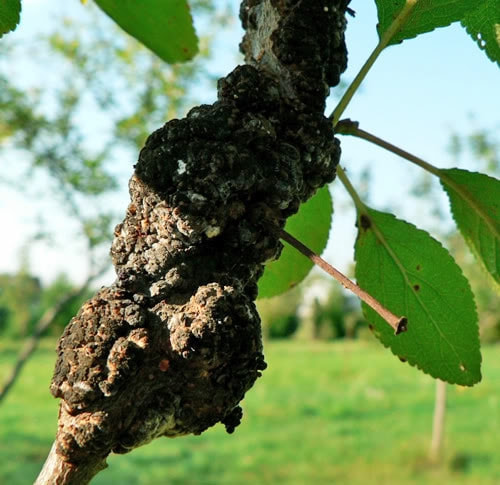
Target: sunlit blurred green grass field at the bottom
[(322, 413)]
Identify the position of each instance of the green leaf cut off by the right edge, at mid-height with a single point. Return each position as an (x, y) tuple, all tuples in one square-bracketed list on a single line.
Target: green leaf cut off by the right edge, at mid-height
[(475, 204)]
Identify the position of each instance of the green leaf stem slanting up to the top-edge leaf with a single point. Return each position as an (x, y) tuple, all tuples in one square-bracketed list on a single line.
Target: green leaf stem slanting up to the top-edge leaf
[(393, 29)]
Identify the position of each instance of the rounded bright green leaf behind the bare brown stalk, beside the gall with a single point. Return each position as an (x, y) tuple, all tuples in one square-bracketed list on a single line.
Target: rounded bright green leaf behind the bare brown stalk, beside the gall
[(311, 226)]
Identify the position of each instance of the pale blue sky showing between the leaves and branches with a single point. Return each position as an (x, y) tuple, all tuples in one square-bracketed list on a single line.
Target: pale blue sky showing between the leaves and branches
[(415, 96)]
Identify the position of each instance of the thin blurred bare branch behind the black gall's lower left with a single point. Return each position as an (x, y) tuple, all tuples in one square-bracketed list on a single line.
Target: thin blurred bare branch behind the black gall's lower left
[(46, 320)]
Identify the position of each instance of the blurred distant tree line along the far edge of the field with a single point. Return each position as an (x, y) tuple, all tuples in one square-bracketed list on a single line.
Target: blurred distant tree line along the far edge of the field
[(317, 309)]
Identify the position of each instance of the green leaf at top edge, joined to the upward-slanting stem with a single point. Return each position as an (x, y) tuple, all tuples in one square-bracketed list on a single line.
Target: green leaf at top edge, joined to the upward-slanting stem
[(425, 17)]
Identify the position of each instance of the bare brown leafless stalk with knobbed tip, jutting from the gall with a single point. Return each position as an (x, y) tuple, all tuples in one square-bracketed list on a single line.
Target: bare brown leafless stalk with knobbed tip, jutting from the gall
[(399, 324)]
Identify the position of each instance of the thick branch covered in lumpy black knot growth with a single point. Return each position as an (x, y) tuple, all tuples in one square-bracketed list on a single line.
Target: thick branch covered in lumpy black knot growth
[(173, 345)]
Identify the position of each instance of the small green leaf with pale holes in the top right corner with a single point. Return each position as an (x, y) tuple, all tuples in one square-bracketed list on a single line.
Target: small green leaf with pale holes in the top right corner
[(483, 24)]
